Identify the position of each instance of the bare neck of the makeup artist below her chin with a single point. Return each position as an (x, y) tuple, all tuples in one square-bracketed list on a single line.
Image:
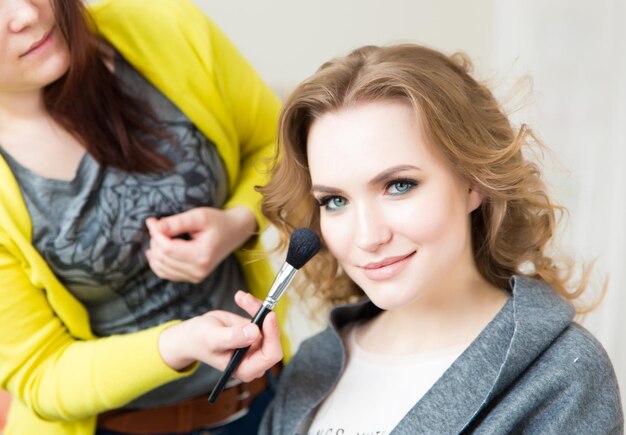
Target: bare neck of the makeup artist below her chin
[(20, 107)]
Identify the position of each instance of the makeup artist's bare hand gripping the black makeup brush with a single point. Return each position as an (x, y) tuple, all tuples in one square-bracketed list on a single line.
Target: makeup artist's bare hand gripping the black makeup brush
[(212, 338)]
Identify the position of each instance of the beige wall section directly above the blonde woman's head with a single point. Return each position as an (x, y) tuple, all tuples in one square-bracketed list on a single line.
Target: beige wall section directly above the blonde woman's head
[(288, 40)]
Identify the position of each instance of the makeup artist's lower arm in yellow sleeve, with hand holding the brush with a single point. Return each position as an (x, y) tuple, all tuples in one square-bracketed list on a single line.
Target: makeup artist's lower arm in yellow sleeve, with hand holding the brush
[(62, 378)]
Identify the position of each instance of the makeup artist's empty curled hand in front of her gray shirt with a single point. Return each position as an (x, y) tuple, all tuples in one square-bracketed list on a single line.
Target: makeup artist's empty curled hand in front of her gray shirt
[(186, 247)]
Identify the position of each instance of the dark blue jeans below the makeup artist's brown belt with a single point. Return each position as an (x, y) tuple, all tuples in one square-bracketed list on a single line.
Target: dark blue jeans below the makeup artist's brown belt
[(246, 425)]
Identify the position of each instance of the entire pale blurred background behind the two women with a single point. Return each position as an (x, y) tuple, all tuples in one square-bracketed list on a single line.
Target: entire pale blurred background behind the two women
[(573, 50)]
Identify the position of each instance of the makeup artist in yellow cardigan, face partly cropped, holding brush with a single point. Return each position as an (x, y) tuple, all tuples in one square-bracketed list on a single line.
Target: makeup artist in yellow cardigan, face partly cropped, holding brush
[(131, 137)]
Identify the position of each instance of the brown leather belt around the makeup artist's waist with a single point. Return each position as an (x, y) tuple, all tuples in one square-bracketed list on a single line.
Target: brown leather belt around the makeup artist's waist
[(189, 415)]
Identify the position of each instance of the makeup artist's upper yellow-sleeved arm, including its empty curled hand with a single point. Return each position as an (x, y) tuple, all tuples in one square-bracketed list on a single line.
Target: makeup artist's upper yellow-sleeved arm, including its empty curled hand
[(204, 74)]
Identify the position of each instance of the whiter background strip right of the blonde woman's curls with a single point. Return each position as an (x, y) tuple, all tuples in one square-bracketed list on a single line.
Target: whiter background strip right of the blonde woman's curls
[(576, 53)]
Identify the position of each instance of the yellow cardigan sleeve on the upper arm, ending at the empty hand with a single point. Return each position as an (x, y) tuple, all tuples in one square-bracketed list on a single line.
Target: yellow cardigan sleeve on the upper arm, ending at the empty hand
[(184, 54)]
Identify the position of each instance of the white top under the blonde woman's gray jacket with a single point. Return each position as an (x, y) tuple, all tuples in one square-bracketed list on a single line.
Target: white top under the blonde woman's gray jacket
[(377, 390)]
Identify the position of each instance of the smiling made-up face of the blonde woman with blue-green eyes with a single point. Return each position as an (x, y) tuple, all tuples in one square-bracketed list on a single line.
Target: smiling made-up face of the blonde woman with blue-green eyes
[(392, 212)]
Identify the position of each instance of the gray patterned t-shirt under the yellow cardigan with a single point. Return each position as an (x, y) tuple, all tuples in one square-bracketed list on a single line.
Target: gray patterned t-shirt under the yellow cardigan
[(91, 231)]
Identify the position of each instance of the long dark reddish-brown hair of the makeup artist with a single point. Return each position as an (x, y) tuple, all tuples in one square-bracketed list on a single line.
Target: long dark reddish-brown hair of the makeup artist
[(88, 101)]
